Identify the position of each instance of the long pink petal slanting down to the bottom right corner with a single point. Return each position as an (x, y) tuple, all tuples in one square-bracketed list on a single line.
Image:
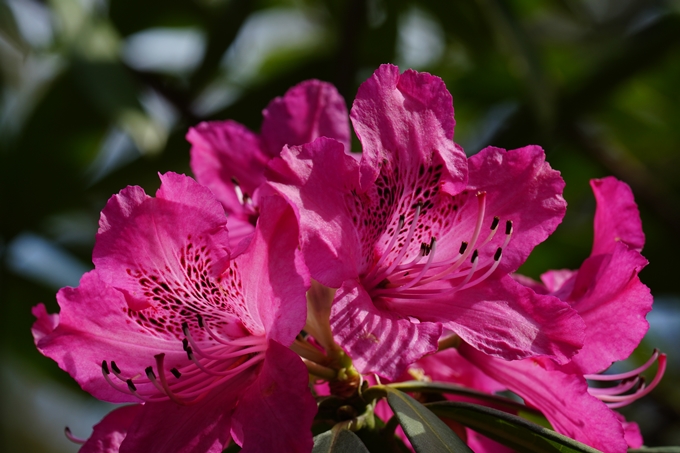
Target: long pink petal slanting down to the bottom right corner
[(563, 398)]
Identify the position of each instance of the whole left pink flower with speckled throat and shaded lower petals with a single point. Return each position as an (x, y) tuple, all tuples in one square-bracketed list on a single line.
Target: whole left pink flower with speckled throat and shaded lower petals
[(171, 320)]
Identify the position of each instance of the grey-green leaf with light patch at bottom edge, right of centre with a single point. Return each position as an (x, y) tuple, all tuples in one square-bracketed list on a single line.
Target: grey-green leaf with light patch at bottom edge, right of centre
[(427, 433)]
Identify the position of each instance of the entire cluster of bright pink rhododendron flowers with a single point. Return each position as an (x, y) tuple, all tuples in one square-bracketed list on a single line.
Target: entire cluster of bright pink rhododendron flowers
[(292, 268)]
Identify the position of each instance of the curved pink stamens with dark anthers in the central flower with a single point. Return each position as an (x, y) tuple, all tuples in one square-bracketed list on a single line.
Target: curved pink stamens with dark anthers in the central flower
[(429, 274)]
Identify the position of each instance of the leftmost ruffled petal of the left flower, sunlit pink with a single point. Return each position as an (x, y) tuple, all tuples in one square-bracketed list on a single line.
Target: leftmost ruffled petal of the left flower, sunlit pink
[(93, 327)]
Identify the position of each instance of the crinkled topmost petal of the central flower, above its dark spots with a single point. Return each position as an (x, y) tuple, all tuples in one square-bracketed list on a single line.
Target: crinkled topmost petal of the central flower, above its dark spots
[(407, 118)]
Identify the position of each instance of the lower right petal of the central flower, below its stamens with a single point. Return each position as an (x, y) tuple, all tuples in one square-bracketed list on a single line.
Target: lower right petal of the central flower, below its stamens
[(505, 319)]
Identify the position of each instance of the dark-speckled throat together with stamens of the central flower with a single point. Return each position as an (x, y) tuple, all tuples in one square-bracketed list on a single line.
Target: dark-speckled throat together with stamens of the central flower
[(398, 221)]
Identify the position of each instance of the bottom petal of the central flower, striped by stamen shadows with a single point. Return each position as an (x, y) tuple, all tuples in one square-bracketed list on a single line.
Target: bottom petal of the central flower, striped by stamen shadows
[(379, 340)]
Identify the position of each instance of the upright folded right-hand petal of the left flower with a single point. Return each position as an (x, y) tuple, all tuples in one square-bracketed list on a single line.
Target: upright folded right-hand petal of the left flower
[(273, 274)]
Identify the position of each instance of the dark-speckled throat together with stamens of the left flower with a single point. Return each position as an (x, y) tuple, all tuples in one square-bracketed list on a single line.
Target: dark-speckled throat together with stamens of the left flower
[(224, 342)]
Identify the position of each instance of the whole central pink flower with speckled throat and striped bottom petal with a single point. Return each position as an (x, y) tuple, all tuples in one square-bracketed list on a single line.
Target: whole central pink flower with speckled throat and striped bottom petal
[(417, 238)]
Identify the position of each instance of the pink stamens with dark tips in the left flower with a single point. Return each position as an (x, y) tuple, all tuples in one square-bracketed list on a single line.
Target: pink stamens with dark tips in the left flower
[(212, 363)]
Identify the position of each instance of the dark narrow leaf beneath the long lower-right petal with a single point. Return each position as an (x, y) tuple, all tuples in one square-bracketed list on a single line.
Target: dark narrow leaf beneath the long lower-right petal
[(508, 429)]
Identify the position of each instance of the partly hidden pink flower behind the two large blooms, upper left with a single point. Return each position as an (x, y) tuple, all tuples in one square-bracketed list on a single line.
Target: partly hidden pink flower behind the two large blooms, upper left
[(230, 160)]
